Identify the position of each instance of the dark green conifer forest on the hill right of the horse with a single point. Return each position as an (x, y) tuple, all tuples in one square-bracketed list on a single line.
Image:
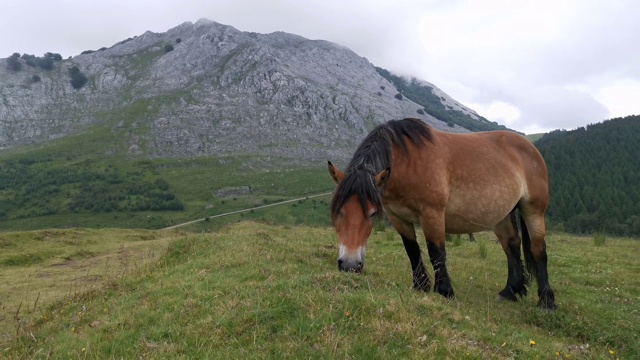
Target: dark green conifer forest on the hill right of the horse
[(594, 177)]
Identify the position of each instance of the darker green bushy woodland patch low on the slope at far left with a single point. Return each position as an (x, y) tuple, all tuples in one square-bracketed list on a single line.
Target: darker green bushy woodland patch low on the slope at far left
[(32, 187)]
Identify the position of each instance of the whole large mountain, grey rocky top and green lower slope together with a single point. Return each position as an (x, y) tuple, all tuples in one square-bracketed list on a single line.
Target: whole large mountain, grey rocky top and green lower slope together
[(145, 133)]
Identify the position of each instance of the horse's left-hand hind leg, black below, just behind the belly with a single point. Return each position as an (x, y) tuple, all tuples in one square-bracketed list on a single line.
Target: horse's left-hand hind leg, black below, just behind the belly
[(507, 233)]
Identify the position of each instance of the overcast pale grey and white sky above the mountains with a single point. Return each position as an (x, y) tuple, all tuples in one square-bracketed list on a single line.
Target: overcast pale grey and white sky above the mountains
[(533, 66)]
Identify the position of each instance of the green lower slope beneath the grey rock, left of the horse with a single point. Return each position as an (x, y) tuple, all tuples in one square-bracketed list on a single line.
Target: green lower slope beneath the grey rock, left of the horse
[(72, 182)]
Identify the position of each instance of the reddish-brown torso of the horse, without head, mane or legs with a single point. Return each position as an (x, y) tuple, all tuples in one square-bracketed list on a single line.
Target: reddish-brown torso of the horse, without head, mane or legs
[(475, 180)]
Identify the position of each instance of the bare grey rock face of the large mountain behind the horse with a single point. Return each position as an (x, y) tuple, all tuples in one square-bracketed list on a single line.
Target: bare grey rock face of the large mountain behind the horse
[(208, 89)]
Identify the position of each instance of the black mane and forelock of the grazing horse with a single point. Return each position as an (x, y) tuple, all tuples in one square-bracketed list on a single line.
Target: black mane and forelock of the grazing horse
[(373, 156)]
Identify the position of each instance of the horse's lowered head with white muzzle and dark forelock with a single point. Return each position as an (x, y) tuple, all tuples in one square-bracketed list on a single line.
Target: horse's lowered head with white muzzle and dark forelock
[(356, 201)]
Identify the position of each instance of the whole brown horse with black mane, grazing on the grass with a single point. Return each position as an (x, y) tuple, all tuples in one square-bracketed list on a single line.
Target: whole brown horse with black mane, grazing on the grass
[(447, 183)]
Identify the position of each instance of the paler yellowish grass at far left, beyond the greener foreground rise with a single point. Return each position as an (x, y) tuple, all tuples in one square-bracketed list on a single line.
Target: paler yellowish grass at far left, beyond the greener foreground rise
[(42, 267)]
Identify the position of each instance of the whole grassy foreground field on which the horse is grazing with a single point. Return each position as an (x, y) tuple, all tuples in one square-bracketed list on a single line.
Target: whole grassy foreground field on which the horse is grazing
[(254, 290)]
